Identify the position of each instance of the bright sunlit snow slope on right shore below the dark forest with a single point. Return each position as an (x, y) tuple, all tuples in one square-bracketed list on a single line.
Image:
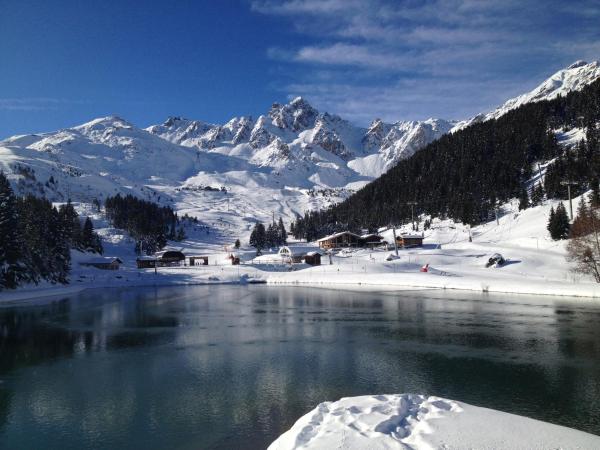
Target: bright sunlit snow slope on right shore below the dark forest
[(535, 263)]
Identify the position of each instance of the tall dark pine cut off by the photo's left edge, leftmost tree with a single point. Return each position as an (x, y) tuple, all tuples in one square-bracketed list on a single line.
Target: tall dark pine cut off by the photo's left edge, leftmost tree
[(11, 270)]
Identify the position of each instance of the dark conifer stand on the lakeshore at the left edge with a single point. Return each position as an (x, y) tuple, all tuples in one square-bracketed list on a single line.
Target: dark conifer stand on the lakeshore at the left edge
[(36, 238)]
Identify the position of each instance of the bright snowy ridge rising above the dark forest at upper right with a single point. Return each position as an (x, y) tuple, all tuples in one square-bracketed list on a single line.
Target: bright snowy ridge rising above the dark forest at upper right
[(573, 78)]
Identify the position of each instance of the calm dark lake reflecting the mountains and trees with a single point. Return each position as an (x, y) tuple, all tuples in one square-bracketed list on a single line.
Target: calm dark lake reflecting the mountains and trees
[(228, 367)]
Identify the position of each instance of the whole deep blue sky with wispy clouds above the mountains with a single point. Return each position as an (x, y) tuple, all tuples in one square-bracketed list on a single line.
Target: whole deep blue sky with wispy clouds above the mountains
[(65, 62)]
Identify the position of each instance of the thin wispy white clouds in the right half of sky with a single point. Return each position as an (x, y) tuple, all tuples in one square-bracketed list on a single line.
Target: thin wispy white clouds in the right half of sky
[(453, 58)]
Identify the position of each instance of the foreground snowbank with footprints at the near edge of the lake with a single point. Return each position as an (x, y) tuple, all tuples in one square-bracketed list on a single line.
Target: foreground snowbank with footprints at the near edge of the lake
[(419, 422)]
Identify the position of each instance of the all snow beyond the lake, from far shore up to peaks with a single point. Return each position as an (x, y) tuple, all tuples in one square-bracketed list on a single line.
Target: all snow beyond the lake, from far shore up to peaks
[(292, 160)]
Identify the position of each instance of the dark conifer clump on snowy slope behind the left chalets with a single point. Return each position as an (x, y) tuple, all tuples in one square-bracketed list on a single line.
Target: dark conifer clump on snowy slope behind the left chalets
[(149, 224)]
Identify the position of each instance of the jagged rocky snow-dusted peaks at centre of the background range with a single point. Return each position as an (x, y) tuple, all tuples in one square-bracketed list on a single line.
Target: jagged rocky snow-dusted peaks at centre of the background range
[(298, 132)]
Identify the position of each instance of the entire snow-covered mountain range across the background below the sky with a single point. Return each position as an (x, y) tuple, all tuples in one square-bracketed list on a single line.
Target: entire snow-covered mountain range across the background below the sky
[(289, 160)]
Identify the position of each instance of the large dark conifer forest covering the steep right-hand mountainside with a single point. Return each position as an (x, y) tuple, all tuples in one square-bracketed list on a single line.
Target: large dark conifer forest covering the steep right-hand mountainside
[(466, 174)]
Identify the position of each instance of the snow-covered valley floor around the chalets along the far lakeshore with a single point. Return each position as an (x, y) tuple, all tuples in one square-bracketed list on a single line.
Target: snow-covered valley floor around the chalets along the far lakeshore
[(535, 263)]
